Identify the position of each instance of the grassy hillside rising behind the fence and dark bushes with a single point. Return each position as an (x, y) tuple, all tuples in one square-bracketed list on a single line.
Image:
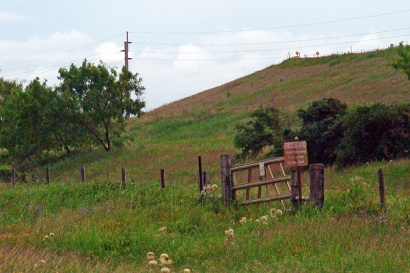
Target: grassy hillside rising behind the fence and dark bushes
[(173, 136)]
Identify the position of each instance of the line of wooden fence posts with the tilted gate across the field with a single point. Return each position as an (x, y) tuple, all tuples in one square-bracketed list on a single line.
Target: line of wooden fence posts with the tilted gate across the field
[(230, 184)]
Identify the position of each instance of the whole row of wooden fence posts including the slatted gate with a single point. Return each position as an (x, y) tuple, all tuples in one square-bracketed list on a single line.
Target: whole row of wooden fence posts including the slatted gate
[(252, 183)]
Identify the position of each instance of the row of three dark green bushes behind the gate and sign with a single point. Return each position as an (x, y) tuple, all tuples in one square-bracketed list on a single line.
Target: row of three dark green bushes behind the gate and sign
[(335, 134)]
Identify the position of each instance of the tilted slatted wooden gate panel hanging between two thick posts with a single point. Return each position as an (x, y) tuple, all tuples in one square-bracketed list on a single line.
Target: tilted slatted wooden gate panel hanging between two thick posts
[(258, 182)]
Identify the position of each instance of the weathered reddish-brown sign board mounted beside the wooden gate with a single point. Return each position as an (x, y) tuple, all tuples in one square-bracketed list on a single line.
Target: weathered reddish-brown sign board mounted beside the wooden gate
[(295, 153)]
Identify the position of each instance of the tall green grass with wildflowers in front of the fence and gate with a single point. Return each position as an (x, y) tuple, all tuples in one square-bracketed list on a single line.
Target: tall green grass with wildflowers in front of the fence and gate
[(114, 228)]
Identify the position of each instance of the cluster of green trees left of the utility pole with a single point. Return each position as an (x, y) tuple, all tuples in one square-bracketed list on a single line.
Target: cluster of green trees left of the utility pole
[(88, 107)]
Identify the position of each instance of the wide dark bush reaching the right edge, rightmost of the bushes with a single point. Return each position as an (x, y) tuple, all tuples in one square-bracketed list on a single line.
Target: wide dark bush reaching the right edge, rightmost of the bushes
[(376, 132)]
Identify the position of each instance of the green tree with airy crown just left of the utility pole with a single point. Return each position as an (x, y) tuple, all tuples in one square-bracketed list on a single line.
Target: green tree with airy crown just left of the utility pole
[(97, 99)]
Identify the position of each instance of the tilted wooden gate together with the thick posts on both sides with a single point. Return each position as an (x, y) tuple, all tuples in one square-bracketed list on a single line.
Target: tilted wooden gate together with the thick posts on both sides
[(267, 181)]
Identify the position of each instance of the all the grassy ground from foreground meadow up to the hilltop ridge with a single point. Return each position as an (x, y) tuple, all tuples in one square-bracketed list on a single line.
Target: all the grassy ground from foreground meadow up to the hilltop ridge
[(97, 226)]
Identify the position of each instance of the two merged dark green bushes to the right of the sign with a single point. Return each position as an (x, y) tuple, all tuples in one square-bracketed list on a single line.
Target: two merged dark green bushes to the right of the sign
[(336, 135)]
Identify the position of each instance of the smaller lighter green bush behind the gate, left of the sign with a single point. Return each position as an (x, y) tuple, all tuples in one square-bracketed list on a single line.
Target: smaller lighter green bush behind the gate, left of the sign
[(262, 130)]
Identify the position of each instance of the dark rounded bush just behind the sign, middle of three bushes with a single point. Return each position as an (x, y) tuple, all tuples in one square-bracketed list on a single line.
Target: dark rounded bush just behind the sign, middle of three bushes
[(322, 129)]
